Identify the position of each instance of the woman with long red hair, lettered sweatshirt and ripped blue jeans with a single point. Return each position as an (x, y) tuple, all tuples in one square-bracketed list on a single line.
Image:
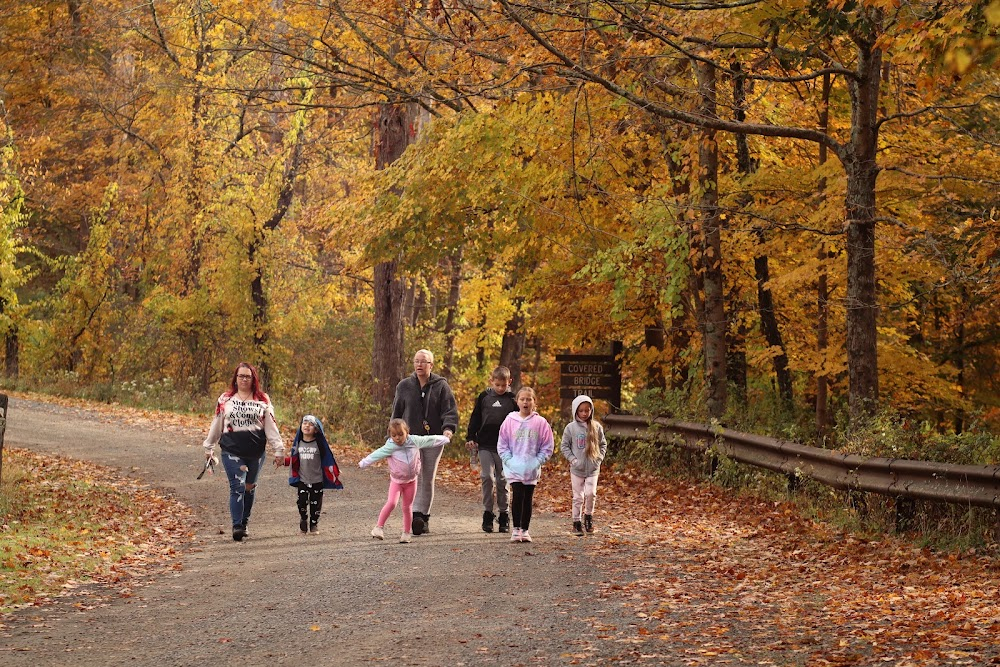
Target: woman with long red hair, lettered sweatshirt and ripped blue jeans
[(244, 425)]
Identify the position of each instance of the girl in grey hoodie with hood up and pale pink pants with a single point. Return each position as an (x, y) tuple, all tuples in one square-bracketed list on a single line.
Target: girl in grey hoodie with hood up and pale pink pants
[(584, 446)]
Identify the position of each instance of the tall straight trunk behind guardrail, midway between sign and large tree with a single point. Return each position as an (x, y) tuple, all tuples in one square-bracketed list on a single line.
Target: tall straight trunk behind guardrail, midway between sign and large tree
[(711, 223)]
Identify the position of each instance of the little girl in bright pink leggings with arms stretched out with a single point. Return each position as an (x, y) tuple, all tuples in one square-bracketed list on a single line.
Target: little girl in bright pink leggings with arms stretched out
[(403, 452)]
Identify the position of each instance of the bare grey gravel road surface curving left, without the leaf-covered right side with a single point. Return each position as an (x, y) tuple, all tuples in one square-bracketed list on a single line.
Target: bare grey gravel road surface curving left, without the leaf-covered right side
[(457, 596)]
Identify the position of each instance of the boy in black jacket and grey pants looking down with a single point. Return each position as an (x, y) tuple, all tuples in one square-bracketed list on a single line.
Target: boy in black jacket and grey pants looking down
[(492, 407)]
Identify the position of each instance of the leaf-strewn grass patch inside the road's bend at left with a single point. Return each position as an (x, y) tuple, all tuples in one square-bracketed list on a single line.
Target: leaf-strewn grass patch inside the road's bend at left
[(64, 524)]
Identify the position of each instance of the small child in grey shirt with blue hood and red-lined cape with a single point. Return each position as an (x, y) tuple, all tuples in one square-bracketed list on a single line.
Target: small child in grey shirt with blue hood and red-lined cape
[(313, 469)]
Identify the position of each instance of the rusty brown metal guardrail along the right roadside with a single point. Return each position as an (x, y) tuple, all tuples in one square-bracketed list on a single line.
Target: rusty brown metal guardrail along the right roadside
[(899, 478)]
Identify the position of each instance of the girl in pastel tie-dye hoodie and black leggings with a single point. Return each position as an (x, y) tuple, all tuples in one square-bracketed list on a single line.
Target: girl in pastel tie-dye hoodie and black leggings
[(525, 443)]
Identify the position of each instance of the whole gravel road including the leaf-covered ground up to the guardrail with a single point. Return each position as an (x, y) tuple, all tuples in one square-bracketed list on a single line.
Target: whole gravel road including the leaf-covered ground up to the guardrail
[(681, 574)]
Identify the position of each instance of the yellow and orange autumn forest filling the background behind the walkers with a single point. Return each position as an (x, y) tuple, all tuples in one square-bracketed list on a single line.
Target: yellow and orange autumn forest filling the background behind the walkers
[(785, 210)]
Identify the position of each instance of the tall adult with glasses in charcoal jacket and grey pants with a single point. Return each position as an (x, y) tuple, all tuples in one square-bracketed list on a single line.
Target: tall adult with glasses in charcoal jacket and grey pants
[(427, 403)]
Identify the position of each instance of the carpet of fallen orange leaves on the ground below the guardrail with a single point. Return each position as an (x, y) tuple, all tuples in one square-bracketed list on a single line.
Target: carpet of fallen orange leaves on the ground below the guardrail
[(712, 577)]
